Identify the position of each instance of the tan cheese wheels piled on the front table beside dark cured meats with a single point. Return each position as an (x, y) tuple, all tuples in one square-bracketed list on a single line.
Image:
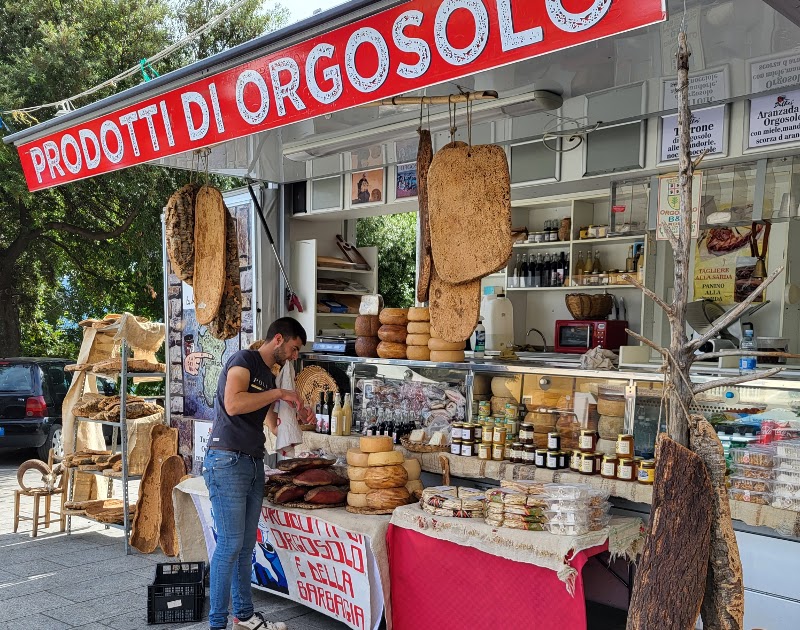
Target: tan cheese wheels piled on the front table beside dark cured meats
[(378, 475)]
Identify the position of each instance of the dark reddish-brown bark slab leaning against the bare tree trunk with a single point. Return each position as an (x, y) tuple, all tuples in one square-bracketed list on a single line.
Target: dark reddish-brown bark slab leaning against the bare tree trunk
[(671, 575)]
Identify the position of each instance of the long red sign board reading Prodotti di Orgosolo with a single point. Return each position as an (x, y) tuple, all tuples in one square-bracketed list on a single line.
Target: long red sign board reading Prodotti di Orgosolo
[(409, 47)]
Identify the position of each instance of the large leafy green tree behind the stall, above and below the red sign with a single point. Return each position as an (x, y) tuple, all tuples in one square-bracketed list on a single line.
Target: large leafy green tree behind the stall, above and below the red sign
[(94, 246)]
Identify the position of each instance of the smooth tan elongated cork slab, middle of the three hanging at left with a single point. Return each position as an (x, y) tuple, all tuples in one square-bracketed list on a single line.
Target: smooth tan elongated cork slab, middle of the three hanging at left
[(209, 253)]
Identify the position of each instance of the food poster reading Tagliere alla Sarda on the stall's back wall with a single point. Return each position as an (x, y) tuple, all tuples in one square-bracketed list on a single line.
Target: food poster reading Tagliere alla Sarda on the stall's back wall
[(724, 264)]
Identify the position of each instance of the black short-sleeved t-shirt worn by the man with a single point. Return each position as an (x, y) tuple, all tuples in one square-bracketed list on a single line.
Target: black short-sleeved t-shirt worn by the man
[(242, 432)]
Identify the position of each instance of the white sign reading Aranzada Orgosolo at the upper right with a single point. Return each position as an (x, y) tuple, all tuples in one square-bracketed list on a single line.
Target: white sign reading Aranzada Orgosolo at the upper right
[(774, 119)]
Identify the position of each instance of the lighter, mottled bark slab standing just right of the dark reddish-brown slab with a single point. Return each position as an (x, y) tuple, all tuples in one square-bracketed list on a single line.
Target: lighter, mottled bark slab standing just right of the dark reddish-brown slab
[(723, 604)]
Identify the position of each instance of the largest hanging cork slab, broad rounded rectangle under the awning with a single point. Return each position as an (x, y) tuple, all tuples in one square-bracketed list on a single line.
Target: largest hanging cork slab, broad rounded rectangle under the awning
[(469, 201)]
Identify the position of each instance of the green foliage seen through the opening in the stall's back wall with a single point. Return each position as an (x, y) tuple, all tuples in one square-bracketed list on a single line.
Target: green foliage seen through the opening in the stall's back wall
[(395, 236)]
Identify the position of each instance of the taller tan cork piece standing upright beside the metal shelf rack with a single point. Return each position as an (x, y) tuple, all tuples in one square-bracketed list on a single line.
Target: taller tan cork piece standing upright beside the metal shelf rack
[(147, 522)]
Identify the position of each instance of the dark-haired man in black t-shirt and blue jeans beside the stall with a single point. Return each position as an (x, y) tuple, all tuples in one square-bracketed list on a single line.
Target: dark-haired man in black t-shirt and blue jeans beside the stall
[(234, 467)]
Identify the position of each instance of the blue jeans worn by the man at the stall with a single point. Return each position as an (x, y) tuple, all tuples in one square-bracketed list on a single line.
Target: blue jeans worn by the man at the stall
[(235, 484)]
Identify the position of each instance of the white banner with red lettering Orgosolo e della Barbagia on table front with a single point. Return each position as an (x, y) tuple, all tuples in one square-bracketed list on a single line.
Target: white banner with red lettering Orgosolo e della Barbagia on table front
[(309, 560)]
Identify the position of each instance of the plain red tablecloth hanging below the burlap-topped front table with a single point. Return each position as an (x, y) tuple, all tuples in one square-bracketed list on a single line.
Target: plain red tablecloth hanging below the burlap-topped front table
[(439, 584)]
